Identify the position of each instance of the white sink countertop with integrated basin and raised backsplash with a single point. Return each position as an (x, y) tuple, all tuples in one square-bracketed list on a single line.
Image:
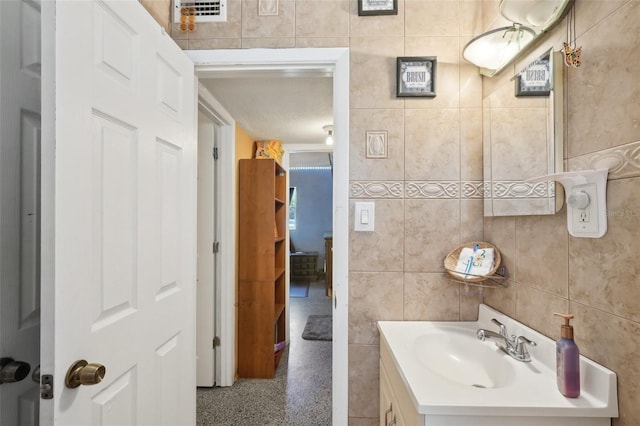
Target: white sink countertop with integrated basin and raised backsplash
[(448, 371)]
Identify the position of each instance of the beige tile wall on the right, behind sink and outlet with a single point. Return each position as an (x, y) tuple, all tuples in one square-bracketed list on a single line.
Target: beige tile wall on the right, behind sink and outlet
[(598, 280)]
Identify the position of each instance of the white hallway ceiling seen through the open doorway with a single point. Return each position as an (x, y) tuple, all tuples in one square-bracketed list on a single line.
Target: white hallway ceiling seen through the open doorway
[(272, 106)]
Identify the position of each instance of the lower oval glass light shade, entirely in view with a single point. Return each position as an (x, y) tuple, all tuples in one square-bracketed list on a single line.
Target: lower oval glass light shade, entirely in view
[(496, 48)]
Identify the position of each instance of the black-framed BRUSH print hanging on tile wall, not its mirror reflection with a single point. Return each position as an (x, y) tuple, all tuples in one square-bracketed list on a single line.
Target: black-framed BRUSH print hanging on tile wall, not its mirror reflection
[(416, 76)]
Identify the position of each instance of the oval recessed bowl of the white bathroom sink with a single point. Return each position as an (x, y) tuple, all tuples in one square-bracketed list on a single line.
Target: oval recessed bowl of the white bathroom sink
[(457, 355)]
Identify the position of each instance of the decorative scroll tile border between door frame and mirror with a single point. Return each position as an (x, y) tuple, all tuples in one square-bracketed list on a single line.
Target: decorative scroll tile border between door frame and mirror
[(418, 189)]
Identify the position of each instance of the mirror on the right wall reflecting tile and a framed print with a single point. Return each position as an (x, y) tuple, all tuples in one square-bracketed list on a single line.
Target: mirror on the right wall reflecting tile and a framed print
[(523, 138)]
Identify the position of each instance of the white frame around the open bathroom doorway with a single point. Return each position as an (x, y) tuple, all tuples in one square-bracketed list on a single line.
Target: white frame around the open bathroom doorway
[(336, 62)]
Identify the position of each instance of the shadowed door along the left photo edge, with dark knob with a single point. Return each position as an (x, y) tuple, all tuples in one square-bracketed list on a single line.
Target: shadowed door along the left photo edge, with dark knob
[(20, 126)]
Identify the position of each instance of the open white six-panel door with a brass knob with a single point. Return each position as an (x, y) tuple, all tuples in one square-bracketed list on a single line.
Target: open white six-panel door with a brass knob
[(119, 254)]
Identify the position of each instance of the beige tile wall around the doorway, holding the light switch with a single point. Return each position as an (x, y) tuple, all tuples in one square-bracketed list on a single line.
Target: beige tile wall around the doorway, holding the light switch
[(428, 189)]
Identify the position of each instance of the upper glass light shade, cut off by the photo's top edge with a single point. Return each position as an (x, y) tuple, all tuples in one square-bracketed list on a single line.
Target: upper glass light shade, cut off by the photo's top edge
[(538, 14)]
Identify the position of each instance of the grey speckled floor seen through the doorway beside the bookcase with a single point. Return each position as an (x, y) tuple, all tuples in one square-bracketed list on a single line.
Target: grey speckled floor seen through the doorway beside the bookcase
[(299, 395)]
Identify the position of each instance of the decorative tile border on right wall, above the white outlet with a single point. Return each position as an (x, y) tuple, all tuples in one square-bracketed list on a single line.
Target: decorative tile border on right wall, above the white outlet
[(622, 161)]
